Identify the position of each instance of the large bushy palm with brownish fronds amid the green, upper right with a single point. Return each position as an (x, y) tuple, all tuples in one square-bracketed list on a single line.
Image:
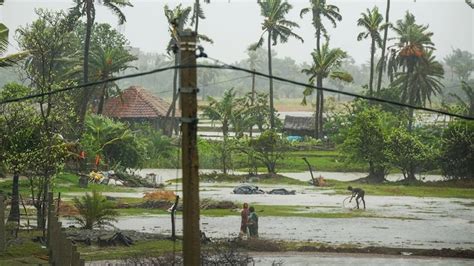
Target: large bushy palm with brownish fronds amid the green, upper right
[(413, 50)]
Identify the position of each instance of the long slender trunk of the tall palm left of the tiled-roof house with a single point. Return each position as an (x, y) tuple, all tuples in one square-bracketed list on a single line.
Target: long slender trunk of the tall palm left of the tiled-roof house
[(86, 91)]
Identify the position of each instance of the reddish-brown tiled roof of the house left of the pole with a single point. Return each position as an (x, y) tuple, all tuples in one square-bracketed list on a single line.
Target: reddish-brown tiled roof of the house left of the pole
[(136, 102)]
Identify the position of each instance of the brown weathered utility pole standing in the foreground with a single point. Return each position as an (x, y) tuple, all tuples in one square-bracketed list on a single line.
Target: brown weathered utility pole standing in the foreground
[(190, 162)]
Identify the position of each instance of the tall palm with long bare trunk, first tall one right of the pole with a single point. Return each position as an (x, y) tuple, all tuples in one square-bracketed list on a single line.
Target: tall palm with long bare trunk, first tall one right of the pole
[(278, 29)]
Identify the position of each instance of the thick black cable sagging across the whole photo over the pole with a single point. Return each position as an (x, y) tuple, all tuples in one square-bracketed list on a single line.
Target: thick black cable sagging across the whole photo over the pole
[(230, 67)]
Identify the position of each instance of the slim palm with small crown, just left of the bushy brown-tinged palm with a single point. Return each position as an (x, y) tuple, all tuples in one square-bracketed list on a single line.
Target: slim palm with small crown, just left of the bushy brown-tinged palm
[(371, 21)]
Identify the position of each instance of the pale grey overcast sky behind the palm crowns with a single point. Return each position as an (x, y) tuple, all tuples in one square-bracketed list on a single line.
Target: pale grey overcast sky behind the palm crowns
[(236, 24)]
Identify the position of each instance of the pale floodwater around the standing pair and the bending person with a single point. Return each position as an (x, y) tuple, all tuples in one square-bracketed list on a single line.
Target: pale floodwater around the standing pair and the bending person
[(407, 222)]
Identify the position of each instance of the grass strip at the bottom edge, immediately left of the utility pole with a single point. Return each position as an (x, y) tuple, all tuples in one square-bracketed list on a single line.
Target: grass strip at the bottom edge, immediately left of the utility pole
[(138, 249)]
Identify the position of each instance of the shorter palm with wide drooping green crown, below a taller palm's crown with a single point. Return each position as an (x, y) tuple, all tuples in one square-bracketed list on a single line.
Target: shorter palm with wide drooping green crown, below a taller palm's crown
[(326, 63)]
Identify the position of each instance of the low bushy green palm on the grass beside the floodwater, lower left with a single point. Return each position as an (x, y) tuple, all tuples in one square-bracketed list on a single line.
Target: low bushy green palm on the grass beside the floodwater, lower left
[(94, 211)]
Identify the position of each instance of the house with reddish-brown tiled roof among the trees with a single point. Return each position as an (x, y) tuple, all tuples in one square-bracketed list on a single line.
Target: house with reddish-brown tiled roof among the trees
[(137, 105)]
